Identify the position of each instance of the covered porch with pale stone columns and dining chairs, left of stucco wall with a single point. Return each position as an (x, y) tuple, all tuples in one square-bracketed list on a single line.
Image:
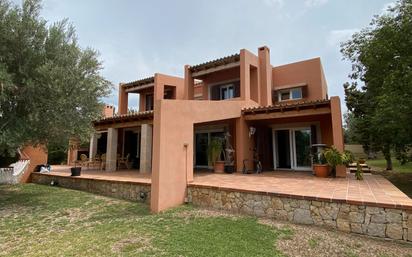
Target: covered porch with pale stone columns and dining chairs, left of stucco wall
[(122, 142)]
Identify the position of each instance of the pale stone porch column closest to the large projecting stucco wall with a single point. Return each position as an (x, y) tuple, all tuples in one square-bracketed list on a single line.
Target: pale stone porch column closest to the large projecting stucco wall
[(146, 135)]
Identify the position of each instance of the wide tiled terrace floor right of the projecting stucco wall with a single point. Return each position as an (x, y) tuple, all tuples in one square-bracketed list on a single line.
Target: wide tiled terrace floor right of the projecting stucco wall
[(373, 190)]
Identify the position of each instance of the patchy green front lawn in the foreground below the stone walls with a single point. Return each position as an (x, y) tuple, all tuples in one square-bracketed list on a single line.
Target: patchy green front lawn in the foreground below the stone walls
[(40, 220)]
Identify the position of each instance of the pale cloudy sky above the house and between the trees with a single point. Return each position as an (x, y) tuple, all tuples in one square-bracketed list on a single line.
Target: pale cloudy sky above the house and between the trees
[(135, 39)]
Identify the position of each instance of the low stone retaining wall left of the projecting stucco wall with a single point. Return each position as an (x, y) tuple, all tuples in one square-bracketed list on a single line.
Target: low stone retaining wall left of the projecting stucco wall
[(118, 189)]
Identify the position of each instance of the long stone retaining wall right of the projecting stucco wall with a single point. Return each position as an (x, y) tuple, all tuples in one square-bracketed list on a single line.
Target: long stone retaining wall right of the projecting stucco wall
[(360, 219)]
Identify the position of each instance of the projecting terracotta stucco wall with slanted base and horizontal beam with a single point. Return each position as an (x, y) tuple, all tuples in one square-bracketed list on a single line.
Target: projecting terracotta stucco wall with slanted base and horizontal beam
[(173, 144)]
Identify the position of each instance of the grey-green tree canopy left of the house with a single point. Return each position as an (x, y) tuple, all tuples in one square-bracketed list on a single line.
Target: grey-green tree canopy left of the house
[(50, 87)]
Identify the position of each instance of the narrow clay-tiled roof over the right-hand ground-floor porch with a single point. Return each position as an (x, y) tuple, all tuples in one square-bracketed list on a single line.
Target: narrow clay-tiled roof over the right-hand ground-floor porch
[(286, 106)]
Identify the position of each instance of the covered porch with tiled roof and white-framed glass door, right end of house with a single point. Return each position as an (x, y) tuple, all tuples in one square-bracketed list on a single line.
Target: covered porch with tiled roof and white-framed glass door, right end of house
[(281, 135)]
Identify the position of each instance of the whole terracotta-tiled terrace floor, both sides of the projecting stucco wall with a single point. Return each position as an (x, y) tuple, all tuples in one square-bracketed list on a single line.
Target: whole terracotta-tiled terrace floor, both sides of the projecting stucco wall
[(374, 190)]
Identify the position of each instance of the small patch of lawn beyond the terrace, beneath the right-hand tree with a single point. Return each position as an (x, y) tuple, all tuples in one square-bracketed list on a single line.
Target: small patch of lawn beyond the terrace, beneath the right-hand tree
[(400, 176)]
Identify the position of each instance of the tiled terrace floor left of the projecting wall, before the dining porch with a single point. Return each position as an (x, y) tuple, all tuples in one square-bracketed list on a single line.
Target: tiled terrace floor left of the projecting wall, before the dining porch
[(119, 175)]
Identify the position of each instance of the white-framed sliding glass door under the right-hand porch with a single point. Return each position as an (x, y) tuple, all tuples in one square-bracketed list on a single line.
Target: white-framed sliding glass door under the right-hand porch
[(292, 148)]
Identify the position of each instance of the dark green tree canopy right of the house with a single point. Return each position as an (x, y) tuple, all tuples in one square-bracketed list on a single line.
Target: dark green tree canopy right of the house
[(379, 95)]
